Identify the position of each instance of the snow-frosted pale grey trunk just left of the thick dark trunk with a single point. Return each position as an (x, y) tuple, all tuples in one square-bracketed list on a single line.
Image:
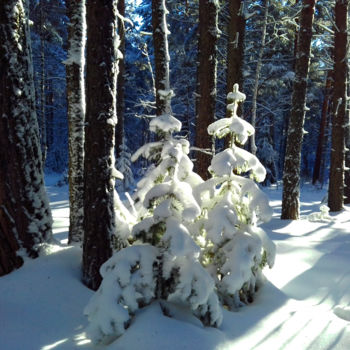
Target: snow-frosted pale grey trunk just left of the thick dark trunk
[(76, 116)]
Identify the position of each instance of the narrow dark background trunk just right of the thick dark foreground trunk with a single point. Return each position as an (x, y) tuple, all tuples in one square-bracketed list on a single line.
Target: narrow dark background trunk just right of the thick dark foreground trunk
[(119, 132)]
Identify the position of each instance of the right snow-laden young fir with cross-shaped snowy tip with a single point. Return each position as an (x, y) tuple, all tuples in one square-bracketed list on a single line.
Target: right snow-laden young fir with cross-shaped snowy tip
[(234, 249)]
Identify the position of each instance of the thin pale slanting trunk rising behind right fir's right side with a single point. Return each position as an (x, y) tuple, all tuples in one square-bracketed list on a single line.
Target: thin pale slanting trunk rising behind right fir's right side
[(257, 75)]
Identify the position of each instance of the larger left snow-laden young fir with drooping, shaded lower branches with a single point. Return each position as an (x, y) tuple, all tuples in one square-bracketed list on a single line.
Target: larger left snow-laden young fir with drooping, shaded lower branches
[(163, 262)]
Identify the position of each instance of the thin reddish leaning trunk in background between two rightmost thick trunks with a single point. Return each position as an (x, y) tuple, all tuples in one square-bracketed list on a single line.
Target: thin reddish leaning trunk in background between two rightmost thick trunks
[(321, 136)]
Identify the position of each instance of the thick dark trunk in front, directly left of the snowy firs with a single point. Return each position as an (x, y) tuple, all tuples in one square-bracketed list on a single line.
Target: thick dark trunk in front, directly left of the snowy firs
[(101, 74)]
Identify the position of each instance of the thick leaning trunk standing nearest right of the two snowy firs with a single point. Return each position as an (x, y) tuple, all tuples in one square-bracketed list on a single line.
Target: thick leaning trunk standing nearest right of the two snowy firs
[(291, 175)]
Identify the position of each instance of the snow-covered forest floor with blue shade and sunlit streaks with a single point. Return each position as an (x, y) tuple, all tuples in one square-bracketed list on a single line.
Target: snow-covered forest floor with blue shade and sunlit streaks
[(304, 305)]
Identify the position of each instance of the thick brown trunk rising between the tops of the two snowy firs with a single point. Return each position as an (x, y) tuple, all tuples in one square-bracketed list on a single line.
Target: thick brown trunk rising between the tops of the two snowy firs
[(208, 12)]
